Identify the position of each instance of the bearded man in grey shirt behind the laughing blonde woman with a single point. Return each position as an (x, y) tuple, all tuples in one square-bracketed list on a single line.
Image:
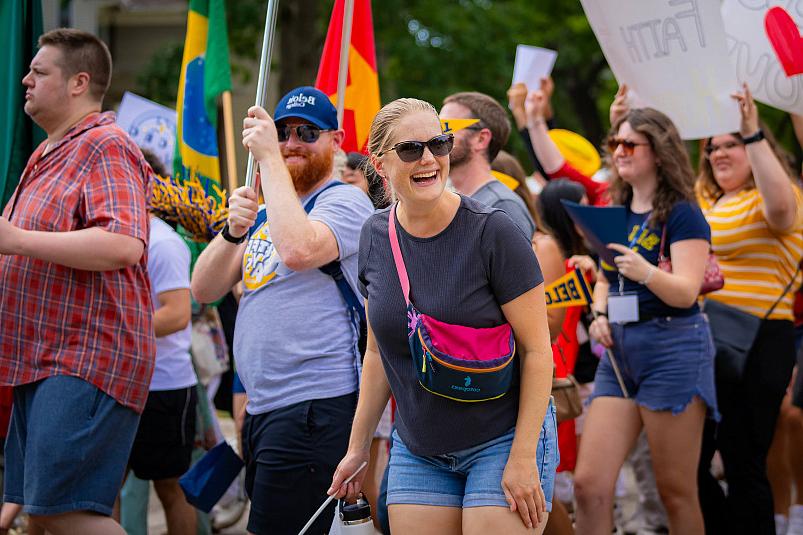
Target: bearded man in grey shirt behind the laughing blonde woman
[(475, 147)]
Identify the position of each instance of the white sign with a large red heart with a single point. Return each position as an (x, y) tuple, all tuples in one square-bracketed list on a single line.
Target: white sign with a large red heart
[(766, 48)]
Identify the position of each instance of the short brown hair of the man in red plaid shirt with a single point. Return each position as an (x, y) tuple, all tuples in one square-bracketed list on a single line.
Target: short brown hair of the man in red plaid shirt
[(82, 52)]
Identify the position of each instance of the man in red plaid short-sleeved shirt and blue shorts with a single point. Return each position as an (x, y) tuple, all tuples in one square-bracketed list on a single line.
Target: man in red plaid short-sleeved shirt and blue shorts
[(77, 342)]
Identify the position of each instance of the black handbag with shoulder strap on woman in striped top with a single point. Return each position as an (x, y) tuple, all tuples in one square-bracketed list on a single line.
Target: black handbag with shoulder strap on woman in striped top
[(734, 333)]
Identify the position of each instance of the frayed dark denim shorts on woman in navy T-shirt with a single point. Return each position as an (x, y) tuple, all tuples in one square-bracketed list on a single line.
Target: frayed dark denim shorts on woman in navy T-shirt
[(665, 363)]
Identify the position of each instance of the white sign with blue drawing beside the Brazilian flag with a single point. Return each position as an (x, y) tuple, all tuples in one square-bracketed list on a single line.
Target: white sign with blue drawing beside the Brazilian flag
[(151, 125)]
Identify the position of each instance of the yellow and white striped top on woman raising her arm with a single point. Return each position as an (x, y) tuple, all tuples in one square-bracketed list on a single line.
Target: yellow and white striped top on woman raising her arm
[(757, 262)]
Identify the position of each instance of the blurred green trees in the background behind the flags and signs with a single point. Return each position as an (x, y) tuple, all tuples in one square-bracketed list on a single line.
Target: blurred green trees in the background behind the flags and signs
[(429, 49)]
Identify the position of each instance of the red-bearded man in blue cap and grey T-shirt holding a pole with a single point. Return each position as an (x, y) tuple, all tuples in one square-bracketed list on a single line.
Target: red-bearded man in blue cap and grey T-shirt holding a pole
[(295, 341)]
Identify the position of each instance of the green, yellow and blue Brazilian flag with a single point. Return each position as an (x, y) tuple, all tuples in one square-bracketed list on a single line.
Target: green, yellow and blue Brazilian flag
[(205, 74)]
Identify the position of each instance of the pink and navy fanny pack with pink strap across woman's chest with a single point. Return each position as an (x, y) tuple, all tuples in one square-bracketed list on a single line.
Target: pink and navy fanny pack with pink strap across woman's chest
[(456, 362)]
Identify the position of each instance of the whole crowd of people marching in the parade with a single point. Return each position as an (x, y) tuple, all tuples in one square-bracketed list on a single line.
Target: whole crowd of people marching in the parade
[(387, 317)]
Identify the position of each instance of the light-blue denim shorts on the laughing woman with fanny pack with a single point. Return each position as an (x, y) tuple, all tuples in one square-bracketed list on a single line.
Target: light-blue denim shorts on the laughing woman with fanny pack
[(470, 477)]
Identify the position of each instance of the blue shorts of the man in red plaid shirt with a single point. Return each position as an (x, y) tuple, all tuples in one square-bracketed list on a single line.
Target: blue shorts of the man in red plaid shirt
[(67, 447)]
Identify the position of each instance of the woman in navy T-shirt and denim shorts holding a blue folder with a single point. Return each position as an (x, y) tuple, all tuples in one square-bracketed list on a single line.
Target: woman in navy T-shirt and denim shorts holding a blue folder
[(650, 320)]
